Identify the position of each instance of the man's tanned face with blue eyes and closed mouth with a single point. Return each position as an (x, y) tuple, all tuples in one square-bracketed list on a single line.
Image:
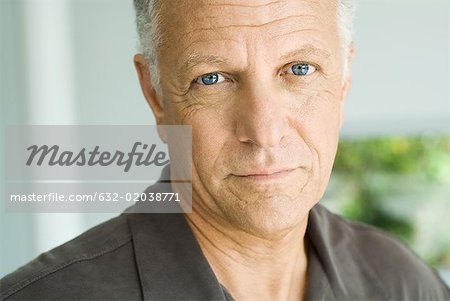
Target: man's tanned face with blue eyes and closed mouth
[(261, 84)]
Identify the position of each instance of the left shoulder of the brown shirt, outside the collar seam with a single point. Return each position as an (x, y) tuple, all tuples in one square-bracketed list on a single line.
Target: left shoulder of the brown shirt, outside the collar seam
[(77, 269)]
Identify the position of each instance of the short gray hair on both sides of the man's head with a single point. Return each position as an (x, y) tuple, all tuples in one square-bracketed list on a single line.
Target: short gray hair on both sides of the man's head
[(148, 21)]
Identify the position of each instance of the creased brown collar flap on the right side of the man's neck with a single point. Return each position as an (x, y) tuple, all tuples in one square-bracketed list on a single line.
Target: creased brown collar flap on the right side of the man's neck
[(334, 261)]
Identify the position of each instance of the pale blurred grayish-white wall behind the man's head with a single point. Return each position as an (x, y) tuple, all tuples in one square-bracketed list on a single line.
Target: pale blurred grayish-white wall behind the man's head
[(70, 62)]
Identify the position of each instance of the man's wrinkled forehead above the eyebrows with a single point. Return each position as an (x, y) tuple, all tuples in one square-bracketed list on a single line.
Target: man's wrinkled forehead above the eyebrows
[(228, 24)]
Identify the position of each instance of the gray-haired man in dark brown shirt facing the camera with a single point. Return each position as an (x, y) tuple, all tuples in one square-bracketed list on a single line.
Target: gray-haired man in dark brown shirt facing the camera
[(262, 83)]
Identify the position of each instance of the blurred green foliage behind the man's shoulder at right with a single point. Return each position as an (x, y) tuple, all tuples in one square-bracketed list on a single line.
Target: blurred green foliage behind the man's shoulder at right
[(359, 161)]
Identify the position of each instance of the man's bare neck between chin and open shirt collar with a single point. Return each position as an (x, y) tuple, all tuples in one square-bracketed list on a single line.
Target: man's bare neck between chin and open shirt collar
[(251, 267)]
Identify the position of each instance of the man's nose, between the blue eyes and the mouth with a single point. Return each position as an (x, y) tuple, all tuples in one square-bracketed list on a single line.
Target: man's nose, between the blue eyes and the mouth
[(261, 117)]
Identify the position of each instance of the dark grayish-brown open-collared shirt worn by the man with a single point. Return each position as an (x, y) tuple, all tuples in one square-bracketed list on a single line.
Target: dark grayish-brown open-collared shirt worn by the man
[(156, 257)]
